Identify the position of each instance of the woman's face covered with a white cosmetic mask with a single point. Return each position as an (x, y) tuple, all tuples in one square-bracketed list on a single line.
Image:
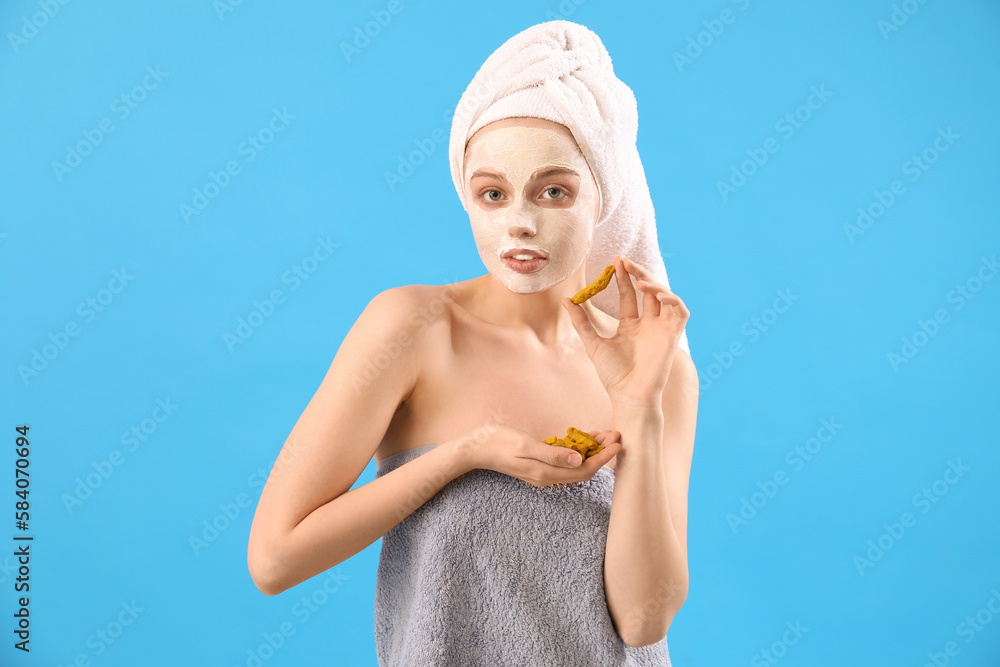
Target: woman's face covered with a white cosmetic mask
[(530, 189)]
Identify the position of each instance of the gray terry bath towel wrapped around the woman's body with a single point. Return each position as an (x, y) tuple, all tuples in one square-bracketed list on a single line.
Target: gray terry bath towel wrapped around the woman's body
[(493, 571)]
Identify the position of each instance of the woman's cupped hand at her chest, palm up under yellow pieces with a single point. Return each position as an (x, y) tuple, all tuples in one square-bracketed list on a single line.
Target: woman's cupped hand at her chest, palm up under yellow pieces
[(515, 452)]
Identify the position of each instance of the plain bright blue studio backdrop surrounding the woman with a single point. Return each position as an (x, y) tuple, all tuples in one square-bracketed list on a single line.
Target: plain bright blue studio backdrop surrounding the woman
[(826, 356)]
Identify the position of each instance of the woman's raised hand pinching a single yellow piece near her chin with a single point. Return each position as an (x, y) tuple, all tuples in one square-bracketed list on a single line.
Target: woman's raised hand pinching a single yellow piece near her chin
[(634, 364)]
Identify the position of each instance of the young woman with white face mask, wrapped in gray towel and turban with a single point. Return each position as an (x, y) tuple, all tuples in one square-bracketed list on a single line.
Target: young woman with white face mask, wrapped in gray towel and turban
[(499, 549)]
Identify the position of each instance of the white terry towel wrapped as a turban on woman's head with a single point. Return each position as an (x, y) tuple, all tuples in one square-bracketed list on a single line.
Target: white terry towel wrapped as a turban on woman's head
[(560, 71)]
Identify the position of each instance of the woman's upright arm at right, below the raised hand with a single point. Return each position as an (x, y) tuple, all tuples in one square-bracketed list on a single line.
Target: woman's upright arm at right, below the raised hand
[(645, 563)]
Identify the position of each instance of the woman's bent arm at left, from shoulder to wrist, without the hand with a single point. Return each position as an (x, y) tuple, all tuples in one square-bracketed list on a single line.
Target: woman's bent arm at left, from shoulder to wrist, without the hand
[(308, 518)]
